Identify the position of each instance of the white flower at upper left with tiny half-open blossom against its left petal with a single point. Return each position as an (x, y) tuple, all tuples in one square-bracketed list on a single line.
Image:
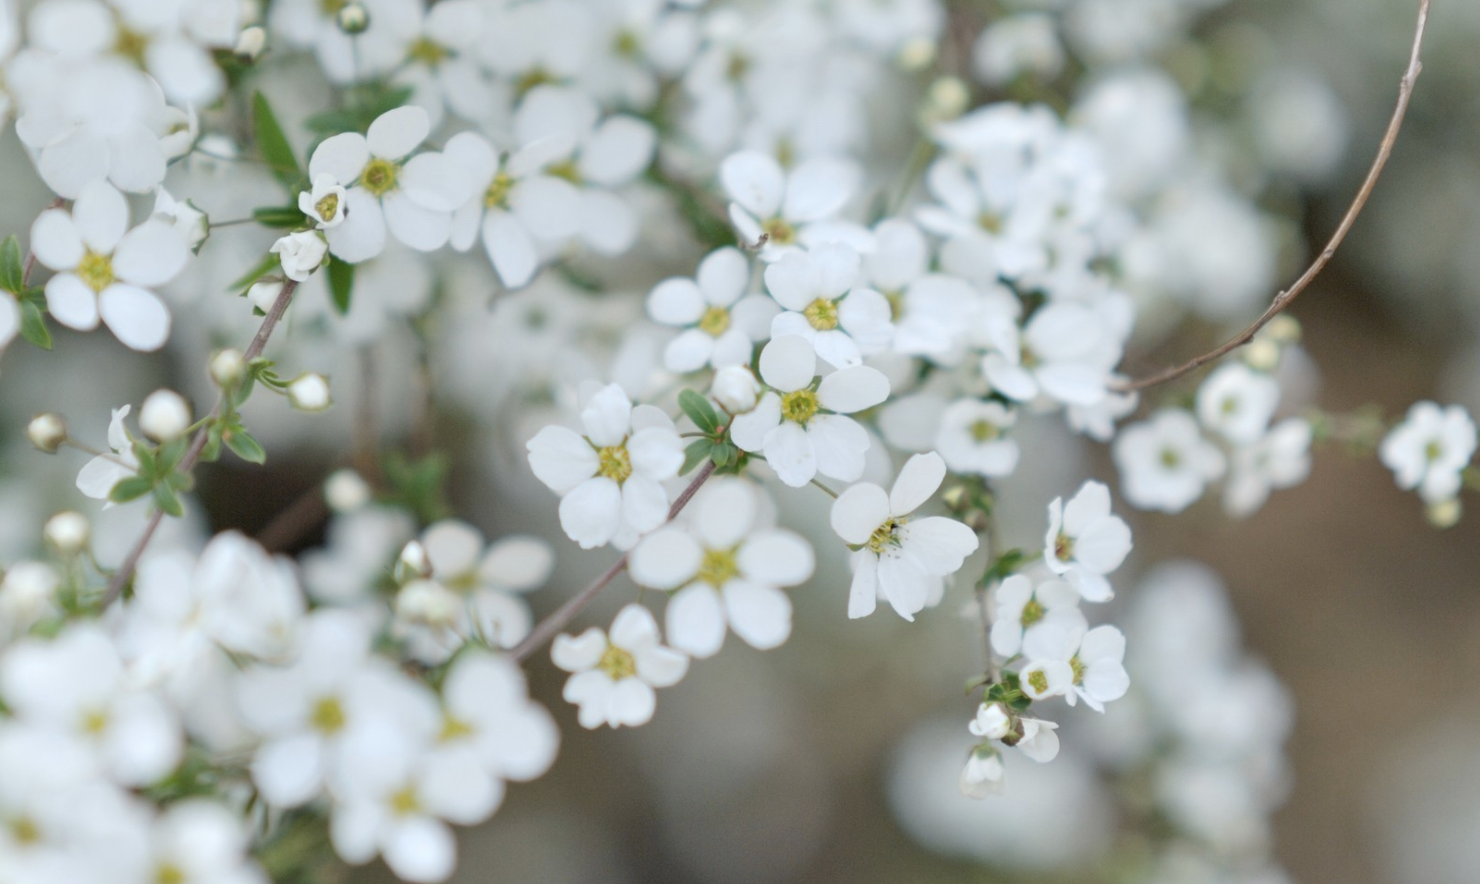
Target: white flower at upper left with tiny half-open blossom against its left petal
[(412, 198)]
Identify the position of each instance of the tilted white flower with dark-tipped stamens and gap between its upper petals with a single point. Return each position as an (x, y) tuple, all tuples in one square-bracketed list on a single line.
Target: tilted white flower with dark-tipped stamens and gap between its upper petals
[(901, 557)]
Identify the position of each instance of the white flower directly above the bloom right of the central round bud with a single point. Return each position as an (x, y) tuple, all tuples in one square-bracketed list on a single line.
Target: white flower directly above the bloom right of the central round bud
[(822, 304)]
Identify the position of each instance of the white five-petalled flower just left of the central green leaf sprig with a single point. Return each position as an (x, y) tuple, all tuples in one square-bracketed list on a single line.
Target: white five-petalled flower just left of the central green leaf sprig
[(610, 479)]
